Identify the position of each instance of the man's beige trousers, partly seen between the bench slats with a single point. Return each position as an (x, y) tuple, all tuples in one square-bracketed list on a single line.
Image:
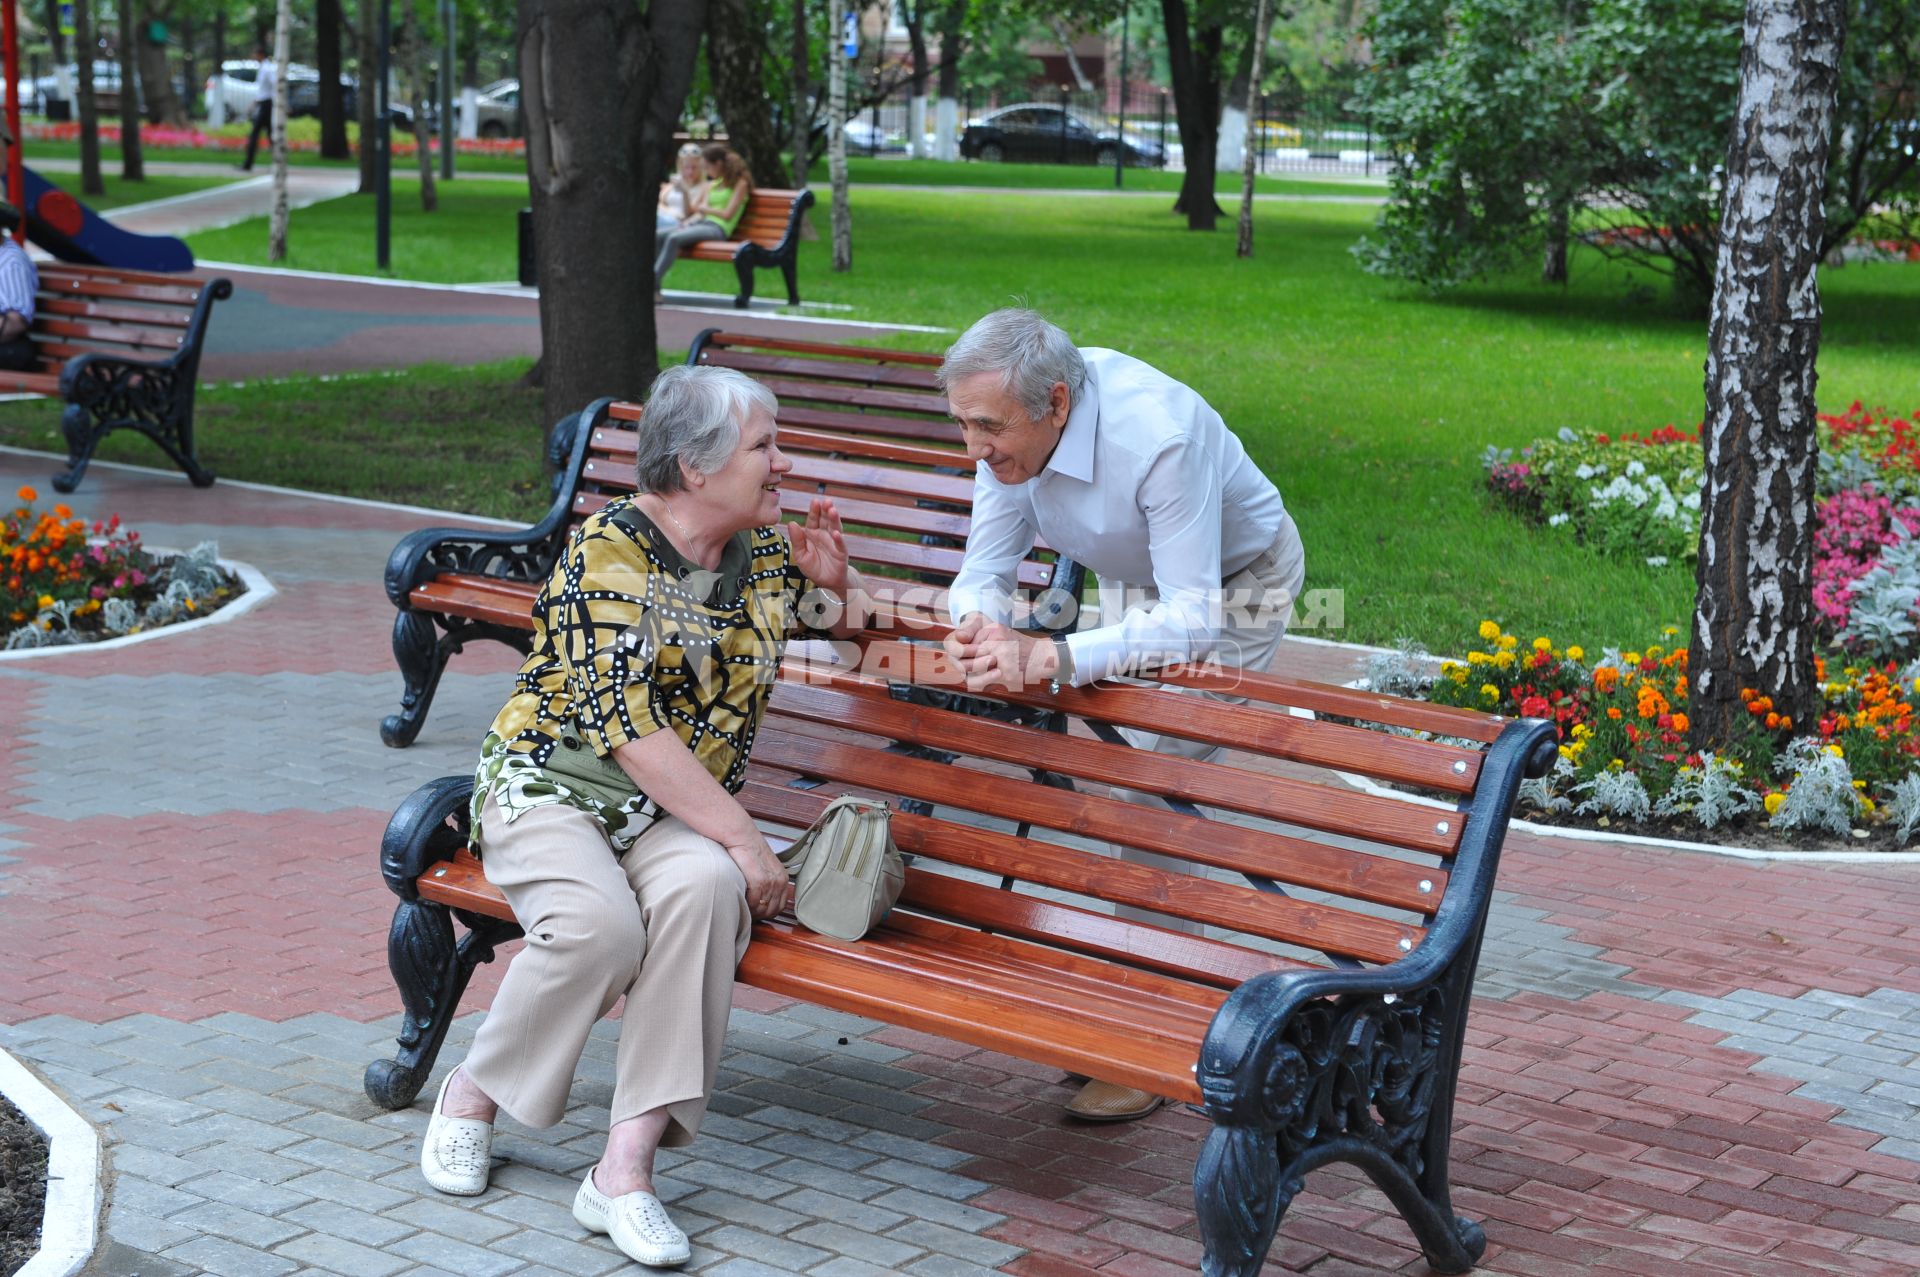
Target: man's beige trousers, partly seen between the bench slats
[(1257, 604)]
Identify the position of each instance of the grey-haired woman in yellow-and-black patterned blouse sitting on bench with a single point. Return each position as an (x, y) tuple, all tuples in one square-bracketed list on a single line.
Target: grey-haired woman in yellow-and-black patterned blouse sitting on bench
[(606, 806)]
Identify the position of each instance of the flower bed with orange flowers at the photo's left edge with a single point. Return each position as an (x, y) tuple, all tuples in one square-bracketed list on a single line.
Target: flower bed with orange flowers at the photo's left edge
[(68, 583)]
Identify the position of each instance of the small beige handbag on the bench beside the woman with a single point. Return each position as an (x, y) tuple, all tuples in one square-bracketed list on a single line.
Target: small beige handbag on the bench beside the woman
[(846, 869)]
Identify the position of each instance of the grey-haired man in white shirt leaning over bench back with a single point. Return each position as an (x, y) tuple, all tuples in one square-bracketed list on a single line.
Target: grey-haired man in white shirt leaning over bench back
[(1134, 475)]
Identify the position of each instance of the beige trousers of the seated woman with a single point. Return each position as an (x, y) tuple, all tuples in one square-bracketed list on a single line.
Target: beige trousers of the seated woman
[(663, 927)]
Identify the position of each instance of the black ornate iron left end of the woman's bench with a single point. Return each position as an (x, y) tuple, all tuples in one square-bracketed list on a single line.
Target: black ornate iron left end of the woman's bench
[(433, 975)]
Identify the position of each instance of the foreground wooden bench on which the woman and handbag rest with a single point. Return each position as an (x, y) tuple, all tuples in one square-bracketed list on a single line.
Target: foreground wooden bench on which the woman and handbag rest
[(1318, 1019)]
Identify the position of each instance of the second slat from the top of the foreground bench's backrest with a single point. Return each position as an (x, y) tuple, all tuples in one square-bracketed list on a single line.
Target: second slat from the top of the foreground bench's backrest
[(1355, 750)]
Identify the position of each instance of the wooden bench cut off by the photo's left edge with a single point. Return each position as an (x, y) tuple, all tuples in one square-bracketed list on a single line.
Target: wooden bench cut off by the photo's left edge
[(124, 350)]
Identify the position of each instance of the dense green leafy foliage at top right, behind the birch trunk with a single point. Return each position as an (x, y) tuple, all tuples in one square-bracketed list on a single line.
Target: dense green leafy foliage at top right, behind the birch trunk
[(1514, 118)]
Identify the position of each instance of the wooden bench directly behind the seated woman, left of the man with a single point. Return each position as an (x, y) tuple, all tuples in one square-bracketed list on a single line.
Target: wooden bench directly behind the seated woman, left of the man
[(890, 458)]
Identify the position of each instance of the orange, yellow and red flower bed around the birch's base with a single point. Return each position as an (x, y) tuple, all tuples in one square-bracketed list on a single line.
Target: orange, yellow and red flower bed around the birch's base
[(1625, 761)]
